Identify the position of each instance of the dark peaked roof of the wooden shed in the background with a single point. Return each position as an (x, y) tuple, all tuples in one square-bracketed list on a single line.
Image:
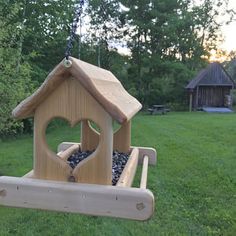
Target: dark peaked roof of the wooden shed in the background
[(213, 75)]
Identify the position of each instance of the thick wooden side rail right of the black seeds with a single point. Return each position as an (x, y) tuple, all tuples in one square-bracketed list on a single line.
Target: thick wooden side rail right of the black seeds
[(127, 176)]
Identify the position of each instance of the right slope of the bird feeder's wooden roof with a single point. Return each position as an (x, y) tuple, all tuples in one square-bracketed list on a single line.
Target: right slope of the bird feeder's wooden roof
[(106, 89)]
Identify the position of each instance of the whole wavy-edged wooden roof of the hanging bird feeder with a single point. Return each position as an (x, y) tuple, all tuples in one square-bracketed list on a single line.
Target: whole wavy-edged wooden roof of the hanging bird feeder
[(100, 83)]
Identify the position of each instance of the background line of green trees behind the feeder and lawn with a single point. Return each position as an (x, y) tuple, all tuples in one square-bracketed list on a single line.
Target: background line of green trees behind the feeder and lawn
[(168, 42)]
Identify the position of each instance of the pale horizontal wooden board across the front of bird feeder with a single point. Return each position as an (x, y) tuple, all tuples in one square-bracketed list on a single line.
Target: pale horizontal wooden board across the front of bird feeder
[(100, 200)]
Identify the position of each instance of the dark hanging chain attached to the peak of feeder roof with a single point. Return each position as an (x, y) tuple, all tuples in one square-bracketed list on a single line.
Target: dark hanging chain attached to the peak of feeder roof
[(78, 13)]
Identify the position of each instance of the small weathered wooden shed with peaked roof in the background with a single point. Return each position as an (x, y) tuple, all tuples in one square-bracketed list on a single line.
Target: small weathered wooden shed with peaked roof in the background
[(210, 87)]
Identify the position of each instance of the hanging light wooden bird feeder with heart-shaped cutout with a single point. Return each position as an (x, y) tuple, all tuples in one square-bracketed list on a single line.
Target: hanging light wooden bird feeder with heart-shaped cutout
[(82, 93)]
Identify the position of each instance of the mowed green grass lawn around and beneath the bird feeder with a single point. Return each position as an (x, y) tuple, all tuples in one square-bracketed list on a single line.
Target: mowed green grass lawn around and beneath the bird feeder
[(194, 182)]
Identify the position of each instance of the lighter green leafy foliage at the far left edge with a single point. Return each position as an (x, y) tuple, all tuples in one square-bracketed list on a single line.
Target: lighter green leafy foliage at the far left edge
[(14, 77)]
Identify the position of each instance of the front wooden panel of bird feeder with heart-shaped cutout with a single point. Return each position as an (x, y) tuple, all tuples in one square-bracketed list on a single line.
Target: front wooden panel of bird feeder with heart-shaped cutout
[(97, 168)]
